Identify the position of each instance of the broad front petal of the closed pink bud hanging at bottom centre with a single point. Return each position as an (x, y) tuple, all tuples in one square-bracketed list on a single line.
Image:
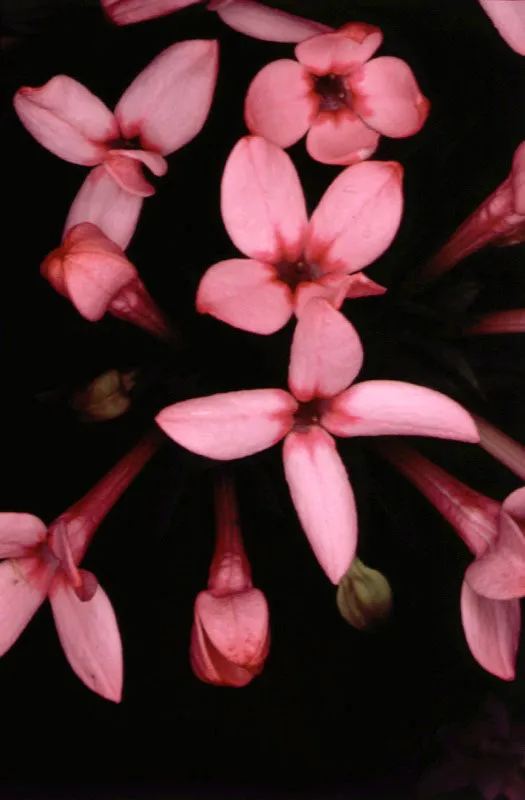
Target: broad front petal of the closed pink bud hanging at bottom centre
[(236, 625)]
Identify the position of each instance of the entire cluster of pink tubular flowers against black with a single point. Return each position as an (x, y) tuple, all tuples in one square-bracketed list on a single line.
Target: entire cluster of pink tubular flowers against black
[(296, 270)]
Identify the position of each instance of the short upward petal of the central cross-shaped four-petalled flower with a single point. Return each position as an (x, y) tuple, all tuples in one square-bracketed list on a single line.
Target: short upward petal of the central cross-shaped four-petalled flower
[(326, 354)]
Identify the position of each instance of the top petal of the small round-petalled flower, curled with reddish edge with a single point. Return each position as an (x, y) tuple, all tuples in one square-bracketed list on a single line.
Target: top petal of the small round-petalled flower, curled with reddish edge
[(339, 53)]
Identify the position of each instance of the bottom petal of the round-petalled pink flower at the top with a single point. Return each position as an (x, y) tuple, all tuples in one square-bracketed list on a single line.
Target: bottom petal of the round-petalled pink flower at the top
[(340, 138)]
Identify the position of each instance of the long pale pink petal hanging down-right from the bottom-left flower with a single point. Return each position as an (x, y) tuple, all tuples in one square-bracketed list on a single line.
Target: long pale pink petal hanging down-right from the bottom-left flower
[(90, 637)]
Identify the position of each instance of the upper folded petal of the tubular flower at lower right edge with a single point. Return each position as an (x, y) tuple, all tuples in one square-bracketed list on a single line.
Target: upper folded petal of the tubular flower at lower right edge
[(500, 573)]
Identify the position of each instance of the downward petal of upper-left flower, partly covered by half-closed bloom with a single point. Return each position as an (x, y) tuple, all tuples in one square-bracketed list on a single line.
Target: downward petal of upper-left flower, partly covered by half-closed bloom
[(102, 202)]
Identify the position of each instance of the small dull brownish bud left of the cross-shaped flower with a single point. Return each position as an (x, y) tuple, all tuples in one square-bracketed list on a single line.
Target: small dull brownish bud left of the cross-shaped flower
[(106, 397)]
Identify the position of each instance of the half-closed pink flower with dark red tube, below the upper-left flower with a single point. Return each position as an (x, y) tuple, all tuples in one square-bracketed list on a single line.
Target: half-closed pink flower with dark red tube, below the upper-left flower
[(93, 272)]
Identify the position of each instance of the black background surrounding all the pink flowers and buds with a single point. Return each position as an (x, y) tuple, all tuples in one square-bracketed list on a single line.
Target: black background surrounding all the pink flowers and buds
[(338, 712)]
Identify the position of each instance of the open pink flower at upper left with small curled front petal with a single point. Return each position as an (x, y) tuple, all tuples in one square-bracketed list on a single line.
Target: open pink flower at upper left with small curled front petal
[(162, 110)]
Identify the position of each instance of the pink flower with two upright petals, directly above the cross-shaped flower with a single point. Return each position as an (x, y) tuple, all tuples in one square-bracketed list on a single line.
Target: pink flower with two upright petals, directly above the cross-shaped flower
[(290, 259)]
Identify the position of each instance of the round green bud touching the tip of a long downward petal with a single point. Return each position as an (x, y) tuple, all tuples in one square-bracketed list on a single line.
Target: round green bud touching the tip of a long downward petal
[(364, 596)]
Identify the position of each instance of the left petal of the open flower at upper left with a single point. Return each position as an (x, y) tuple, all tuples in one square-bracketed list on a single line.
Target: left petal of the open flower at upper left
[(67, 119)]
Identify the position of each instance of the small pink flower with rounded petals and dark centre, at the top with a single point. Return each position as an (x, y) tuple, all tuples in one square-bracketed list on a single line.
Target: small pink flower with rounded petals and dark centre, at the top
[(344, 100)]
